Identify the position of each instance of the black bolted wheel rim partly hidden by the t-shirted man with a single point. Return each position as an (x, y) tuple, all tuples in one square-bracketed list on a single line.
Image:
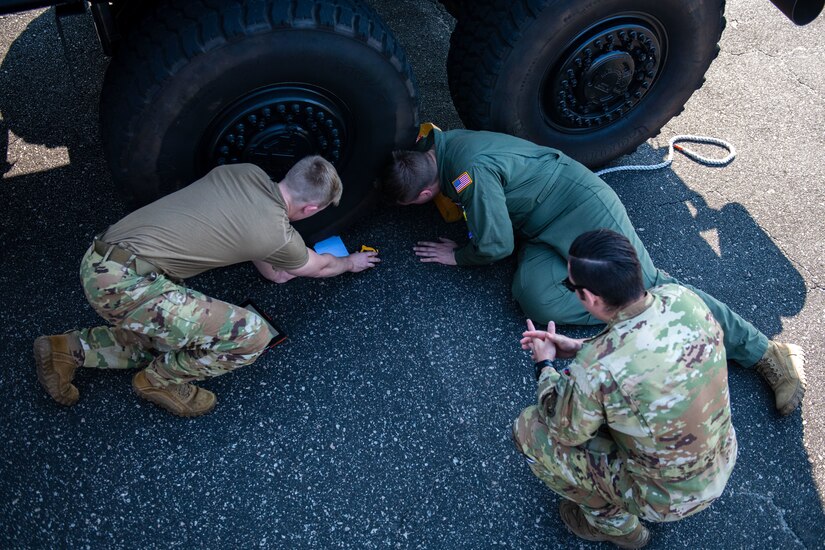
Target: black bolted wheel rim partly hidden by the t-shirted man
[(275, 126)]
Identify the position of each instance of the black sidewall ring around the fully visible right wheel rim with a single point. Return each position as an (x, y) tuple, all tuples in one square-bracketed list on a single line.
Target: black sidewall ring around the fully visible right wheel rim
[(692, 29)]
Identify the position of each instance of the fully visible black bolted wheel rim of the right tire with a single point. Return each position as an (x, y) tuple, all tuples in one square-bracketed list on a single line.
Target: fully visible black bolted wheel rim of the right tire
[(604, 73)]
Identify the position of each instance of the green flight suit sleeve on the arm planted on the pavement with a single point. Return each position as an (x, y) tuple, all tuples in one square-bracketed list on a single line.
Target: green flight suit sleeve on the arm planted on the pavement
[(488, 223)]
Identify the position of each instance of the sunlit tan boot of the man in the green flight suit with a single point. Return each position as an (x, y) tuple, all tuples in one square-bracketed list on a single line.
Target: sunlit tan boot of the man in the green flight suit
[(783, 368)]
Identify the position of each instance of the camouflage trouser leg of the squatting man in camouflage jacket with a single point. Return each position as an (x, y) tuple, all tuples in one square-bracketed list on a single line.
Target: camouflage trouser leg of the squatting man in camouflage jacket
[(592, 476)]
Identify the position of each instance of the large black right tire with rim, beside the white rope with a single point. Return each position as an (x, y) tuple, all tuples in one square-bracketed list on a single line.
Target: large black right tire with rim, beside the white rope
[(523, 67)]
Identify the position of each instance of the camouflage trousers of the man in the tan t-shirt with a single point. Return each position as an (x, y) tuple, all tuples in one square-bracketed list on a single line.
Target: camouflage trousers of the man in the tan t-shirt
[(176, 333)]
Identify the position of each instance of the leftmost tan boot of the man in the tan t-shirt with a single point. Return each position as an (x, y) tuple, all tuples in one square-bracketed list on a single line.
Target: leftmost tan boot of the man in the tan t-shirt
[(56, 358)]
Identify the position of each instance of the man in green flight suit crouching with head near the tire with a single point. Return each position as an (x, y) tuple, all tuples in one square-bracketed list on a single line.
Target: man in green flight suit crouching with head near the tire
[(513, 190)]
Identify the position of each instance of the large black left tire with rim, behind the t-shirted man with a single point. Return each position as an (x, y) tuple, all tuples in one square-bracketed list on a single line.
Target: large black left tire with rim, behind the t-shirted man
[(206, 82)]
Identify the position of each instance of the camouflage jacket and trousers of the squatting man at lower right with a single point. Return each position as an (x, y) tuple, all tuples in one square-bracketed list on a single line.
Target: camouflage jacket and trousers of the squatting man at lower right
[(641, 426)]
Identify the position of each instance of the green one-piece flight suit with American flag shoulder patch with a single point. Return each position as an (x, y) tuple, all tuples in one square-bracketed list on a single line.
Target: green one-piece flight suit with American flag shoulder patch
[(511, 187)]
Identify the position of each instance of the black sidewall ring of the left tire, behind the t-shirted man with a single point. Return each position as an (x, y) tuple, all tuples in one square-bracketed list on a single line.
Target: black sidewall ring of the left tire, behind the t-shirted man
[(382, 113)]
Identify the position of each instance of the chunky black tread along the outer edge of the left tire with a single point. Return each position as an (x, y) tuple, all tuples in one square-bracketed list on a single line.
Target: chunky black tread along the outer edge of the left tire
[(179, 31)]
